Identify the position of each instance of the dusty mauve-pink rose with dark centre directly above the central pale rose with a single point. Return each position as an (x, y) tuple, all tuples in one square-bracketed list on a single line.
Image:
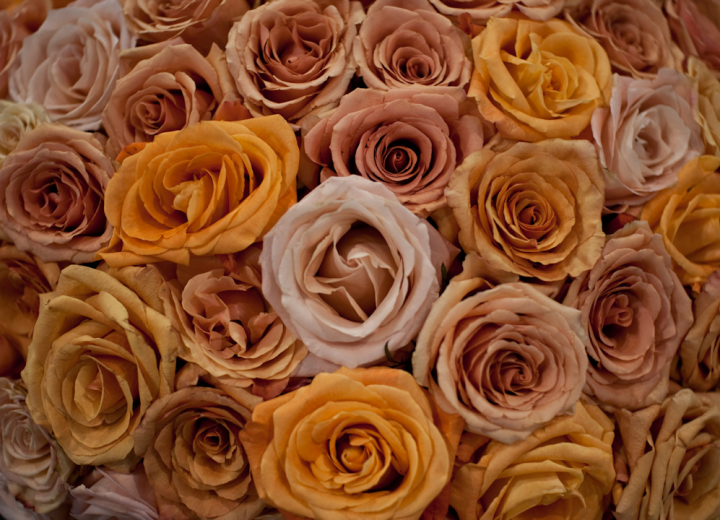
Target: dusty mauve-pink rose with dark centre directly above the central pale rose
[(407, 140)]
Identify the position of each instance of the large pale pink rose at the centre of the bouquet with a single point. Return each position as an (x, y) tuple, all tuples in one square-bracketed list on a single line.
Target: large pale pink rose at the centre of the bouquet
[(352, 272)]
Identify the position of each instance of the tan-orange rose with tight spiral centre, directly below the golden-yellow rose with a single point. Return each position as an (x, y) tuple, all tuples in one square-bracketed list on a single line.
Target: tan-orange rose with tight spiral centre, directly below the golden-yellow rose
[(533, 209)]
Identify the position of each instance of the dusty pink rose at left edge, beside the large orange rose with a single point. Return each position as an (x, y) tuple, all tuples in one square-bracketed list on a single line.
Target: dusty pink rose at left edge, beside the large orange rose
[(52, 191)]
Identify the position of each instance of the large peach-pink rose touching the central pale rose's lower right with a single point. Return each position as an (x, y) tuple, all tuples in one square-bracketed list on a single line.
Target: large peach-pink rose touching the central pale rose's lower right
[(507, 359)]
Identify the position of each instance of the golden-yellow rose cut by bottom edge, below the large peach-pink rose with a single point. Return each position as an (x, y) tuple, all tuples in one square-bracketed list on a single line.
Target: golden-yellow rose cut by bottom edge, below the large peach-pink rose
[(564, 470)]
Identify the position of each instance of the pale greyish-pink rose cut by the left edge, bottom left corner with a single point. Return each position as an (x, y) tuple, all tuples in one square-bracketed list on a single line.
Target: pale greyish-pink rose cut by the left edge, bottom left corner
[(34, 465)]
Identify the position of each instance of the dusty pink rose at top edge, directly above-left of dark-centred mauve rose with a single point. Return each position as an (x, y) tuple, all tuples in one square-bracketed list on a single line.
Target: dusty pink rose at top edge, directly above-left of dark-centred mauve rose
[(294, 57)]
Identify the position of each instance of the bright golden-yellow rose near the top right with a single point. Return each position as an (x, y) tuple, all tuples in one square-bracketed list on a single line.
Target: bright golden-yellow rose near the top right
[(571, 78)]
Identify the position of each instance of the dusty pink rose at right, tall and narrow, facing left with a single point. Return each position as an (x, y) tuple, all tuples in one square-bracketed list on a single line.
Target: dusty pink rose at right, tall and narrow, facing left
[(636, 313)]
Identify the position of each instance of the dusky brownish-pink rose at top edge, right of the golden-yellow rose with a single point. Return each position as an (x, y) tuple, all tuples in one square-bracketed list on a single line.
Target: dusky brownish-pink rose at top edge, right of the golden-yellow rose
[(634, 33)]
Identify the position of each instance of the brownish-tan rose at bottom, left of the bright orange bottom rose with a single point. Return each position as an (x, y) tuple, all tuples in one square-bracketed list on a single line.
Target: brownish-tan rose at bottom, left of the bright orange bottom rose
[(192, 453)]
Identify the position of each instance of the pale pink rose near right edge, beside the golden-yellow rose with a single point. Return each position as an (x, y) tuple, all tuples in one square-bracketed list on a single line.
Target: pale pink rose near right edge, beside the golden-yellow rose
[(646, 135)]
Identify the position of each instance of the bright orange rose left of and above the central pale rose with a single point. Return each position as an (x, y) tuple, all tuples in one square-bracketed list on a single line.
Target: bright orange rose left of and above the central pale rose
[(212, 188)]
